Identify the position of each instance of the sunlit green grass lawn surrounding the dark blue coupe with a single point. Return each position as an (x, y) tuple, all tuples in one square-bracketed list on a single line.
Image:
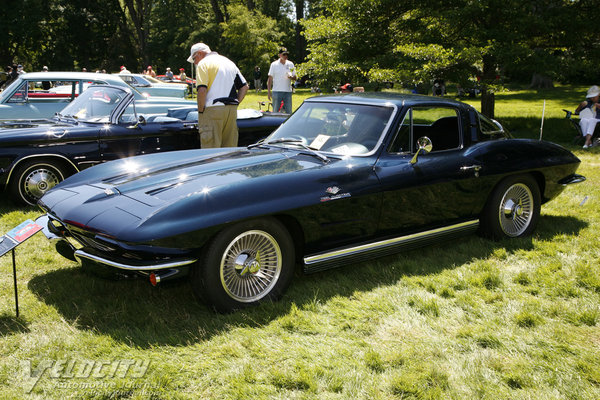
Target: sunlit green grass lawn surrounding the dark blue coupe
[(470, 319)]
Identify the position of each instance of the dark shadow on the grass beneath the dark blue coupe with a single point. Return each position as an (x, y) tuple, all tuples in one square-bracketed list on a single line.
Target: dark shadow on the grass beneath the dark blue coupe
[(134, 312)]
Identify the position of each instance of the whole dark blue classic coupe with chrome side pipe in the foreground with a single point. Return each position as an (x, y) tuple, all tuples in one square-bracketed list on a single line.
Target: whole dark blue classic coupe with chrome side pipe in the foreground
[(343, 180)]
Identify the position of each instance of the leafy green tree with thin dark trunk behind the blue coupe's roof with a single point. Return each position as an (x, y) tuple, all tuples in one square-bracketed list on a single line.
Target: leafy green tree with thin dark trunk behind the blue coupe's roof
[(415, 42)]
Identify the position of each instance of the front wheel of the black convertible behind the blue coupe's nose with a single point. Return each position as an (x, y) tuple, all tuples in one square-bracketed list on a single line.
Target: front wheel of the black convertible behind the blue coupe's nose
[(31, 179)]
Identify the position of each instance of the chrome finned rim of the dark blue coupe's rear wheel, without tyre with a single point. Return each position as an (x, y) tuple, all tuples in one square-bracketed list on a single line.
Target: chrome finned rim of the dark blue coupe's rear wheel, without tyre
[(516, 210)]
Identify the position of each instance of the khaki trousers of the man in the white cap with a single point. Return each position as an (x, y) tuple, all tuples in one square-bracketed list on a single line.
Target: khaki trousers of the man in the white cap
[(218, 127)]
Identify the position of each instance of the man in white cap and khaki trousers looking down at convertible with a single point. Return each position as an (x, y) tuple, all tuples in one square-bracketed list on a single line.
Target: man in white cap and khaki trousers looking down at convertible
[(221, 87)]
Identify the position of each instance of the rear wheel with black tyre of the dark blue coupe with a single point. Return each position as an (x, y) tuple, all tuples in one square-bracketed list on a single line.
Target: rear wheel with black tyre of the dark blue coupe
[(513, 209)]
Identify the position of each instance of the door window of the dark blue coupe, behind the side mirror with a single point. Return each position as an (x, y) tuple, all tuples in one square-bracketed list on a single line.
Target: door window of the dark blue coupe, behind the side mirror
[(440, 124)]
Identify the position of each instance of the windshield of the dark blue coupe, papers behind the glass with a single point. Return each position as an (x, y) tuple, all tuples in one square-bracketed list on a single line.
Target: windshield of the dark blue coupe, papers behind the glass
[(346, 129)]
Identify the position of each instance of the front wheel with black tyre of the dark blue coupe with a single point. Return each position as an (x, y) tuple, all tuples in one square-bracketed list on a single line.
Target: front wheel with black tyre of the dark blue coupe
[(245, 264)]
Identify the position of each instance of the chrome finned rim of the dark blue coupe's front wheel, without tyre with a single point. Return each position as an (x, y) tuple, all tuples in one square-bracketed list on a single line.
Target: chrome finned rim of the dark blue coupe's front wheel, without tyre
[(250, 266)]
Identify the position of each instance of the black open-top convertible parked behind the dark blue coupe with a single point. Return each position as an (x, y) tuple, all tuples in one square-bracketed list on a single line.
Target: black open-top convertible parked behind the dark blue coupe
[(104, 123)]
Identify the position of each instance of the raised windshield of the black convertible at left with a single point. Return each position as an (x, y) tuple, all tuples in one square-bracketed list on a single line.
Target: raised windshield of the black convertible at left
[(96, 104)]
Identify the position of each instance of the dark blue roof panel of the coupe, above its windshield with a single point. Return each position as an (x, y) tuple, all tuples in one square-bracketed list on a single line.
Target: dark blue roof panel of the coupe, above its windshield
[(385, 98)]
